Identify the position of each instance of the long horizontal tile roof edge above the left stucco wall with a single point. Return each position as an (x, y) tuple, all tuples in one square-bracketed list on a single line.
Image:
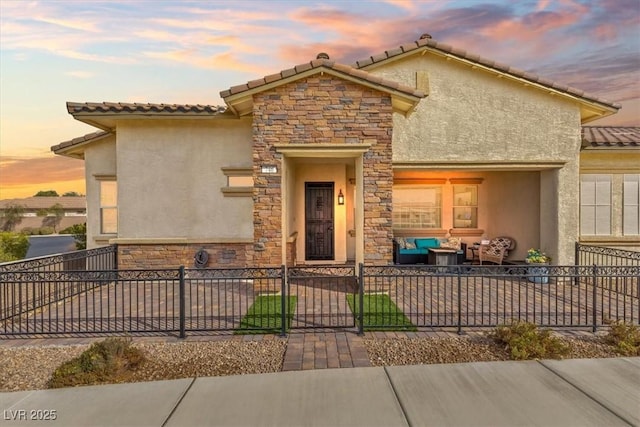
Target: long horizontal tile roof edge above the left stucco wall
[(122, 107)]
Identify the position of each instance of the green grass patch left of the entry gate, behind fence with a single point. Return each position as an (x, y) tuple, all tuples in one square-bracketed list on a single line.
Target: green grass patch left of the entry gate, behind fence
[(265, 315)]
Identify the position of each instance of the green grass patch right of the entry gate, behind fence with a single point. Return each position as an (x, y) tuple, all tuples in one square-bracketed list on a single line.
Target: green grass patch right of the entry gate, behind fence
[(380, 313)]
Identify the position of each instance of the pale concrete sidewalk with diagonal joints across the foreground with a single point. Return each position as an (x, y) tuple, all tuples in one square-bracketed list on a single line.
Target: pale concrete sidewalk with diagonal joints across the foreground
[(581, 392)]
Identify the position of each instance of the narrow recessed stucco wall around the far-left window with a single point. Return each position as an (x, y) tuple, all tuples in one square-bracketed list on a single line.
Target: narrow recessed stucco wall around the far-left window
[(99, 161)]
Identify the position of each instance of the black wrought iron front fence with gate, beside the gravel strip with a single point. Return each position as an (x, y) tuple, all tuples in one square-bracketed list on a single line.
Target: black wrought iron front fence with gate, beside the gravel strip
[(255, 300)]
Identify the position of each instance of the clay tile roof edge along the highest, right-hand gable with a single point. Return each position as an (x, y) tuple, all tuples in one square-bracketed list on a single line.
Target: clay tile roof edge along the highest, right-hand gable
[(447, 49)]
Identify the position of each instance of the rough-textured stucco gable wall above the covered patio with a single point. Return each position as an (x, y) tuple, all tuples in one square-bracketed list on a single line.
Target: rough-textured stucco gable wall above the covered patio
[(471, 115)]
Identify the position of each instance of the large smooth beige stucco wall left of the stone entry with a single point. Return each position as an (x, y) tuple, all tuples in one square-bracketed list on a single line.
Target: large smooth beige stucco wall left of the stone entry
[(170, 179)]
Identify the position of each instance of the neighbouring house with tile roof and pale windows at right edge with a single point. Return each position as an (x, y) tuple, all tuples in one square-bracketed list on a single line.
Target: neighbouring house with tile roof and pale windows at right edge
[(610, 187)]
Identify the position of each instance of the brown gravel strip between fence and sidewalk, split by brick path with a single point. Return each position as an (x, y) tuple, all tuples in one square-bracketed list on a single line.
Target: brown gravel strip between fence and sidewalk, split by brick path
[(29, 367)]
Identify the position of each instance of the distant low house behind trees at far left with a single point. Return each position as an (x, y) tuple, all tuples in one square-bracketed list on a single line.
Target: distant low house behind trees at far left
[(74, 208)]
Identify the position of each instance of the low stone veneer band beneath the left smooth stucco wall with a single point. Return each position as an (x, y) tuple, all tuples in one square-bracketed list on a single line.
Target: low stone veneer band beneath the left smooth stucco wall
[(140, 256)]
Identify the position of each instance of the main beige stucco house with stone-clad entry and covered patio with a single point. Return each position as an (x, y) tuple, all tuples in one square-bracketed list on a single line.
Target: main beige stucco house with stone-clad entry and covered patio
[(327, 163)]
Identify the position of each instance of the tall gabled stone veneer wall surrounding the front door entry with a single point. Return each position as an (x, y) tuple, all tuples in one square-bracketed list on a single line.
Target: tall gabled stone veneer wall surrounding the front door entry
[(322, 110)]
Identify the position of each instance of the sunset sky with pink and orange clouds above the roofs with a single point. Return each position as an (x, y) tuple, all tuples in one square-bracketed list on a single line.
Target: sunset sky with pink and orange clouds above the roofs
[(187, 52)]
